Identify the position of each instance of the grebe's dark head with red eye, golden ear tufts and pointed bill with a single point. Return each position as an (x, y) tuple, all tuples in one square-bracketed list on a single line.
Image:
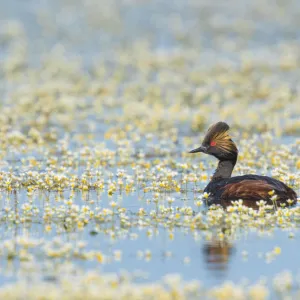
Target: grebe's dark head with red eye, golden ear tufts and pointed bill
[(218, 143)]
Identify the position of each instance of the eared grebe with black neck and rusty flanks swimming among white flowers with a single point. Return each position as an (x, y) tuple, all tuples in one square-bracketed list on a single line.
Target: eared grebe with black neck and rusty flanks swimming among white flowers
[(223, 188)]
